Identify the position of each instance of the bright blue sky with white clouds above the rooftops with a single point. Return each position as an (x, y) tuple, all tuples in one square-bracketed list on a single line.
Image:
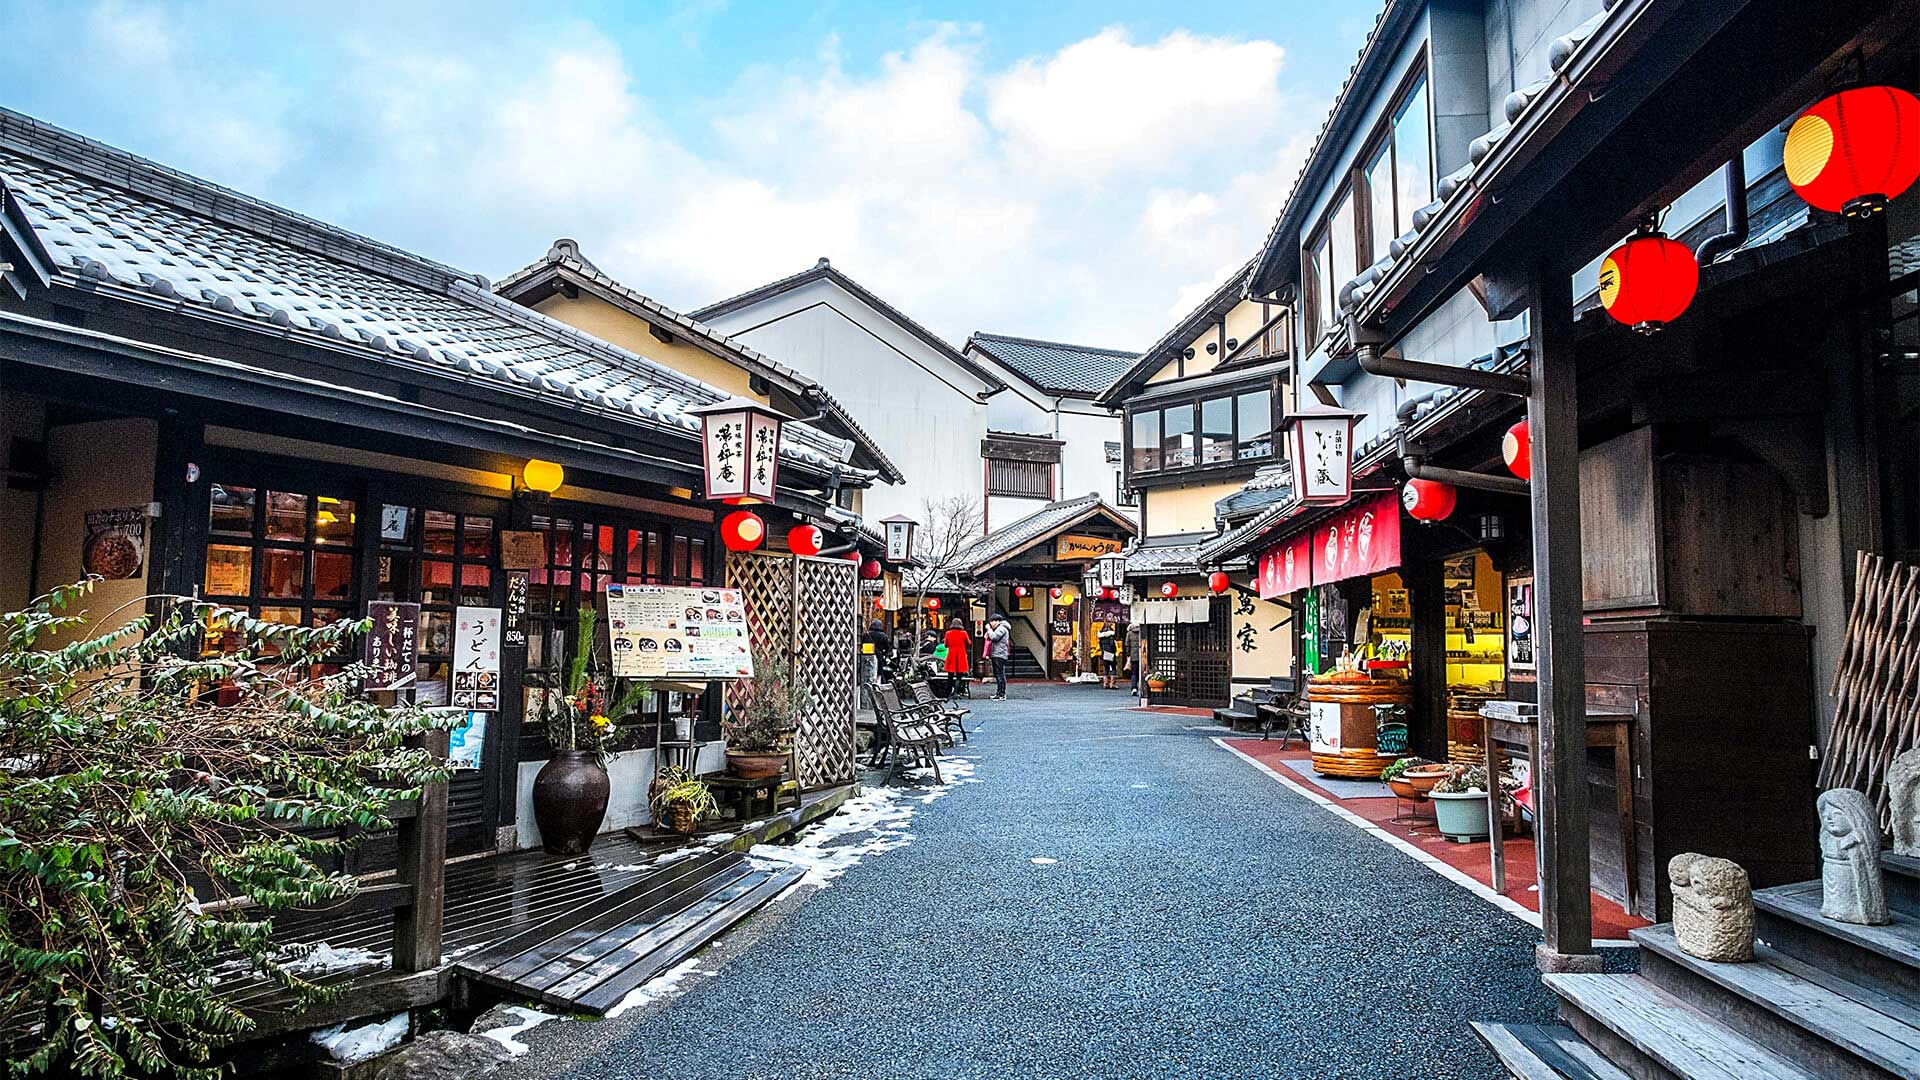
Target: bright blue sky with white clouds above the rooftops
[(1067, 170)]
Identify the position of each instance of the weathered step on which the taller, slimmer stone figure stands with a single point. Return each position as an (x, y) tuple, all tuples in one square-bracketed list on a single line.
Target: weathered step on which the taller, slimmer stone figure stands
[(1788, 920)]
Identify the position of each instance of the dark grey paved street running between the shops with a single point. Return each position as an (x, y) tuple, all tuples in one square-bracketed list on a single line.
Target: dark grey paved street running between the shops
[(1199, 921)]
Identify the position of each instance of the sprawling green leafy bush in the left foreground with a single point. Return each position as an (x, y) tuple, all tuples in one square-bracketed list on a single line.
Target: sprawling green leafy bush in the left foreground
[(156, 806)]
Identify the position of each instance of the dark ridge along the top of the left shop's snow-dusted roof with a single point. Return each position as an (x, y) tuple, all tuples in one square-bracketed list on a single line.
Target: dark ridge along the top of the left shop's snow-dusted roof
[(229, 207)]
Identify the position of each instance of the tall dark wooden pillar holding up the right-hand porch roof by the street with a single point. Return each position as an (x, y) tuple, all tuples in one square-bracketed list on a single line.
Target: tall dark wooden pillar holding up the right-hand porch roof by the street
[(1554, 420)]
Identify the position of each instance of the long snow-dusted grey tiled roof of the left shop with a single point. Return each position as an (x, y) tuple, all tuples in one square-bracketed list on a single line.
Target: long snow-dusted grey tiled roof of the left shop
[(122, 226)]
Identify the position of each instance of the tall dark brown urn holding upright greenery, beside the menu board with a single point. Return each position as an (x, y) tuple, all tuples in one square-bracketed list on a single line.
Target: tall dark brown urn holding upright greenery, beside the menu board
[(571, 789)]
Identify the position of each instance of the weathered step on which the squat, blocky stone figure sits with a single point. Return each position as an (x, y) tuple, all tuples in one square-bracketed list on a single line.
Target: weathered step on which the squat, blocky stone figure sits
[(1850, 1031)]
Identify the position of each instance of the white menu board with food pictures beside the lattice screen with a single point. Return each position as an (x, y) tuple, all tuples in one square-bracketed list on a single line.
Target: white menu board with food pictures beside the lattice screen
[(679, 633)]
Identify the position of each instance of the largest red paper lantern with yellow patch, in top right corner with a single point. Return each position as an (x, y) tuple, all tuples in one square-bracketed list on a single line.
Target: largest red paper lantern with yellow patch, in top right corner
[(1856, 151)]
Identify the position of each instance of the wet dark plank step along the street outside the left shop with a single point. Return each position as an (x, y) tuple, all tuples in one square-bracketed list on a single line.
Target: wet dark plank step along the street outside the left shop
[(590, 958)]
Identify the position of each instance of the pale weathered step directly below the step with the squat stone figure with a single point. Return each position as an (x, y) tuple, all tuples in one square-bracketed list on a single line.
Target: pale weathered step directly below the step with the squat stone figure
[(1656, 1037)]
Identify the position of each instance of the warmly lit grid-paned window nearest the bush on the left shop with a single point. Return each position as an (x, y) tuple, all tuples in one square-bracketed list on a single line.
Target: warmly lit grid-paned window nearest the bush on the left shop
[(279, 556)]
